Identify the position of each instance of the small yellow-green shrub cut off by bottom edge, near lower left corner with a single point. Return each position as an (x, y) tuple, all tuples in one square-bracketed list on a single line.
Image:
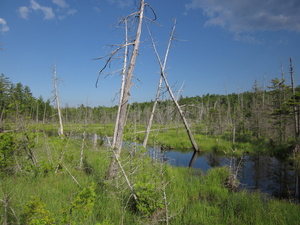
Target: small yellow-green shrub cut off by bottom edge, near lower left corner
[(36, 214)]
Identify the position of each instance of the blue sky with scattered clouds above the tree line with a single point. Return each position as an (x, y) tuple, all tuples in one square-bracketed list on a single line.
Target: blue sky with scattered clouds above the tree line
[(219, 47)]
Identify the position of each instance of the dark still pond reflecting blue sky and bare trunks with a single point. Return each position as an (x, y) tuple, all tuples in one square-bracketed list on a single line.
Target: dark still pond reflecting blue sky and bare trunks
[(270, 175)]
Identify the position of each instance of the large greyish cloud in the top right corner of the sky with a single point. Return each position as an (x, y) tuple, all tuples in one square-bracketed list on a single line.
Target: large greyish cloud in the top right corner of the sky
[(245, 16)]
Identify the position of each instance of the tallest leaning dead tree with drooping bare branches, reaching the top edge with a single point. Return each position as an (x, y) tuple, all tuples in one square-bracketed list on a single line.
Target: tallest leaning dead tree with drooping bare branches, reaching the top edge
[(131, 49)]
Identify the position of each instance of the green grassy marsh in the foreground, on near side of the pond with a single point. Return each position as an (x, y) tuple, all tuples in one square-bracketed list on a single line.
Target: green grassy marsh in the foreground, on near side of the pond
[(49, 180)]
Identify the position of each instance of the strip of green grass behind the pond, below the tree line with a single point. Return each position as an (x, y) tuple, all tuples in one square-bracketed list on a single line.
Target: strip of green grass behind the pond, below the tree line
[(172, 137)]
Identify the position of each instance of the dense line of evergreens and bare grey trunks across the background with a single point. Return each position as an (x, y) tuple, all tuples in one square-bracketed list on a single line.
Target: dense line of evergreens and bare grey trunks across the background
[(264, 113)]
